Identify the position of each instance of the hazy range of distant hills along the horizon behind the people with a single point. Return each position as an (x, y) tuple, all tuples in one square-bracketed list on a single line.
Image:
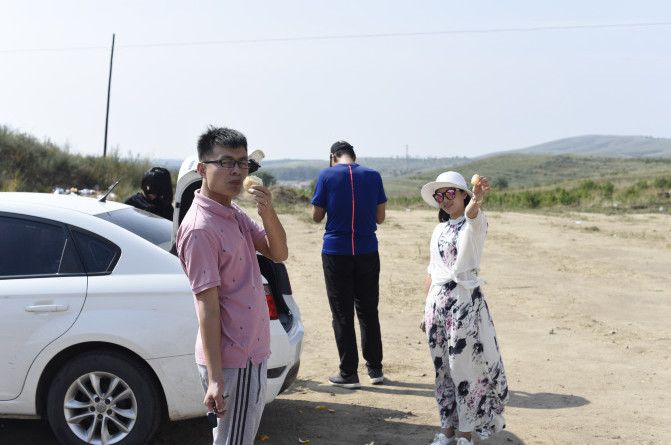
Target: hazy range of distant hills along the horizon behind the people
[(549, 163)]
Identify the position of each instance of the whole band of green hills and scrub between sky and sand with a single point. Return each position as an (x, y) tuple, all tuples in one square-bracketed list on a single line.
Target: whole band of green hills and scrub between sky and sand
[(520, 181)]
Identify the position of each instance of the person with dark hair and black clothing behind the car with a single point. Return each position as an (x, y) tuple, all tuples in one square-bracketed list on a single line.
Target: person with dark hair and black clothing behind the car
[(156, 195)]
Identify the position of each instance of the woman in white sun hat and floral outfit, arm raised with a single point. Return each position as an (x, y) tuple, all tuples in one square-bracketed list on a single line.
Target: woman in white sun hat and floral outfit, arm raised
[(471, 386)]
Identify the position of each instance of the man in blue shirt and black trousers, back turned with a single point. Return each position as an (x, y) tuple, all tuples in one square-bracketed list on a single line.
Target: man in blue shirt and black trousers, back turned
[(353, 197)]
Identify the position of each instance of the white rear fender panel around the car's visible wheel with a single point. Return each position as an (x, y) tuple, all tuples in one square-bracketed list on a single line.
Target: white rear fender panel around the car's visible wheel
[(148, 330)]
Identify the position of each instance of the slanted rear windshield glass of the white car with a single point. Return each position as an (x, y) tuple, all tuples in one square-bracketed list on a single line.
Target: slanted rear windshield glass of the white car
[(155, 229)]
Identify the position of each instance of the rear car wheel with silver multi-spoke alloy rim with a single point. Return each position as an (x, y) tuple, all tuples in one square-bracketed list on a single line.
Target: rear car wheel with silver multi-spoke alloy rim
[(103, 398)]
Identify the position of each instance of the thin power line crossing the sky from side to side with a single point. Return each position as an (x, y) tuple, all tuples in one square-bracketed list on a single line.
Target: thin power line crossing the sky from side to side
[(352, 36)]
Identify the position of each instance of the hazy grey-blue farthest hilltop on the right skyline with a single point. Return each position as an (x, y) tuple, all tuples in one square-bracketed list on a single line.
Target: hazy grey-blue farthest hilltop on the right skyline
[(604, 146)]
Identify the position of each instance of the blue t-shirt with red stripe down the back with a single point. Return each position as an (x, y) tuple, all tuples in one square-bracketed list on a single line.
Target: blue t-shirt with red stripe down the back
[(350, 193)]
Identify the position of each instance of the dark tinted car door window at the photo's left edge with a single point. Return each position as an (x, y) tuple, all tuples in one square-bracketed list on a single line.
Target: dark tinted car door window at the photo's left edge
[(31, 247)]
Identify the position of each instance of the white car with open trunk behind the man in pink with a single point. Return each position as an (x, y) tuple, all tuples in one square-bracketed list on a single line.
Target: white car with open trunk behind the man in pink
[(97, 320)]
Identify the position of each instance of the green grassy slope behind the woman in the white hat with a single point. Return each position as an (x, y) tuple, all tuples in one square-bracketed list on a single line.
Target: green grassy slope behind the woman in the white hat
[(543, 181)]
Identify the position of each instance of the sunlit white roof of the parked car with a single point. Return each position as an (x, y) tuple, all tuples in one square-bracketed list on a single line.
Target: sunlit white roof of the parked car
[(89, 206)]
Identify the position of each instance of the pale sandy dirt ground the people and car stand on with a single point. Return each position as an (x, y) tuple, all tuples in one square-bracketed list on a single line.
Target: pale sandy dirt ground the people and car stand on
[(581, 306)]
